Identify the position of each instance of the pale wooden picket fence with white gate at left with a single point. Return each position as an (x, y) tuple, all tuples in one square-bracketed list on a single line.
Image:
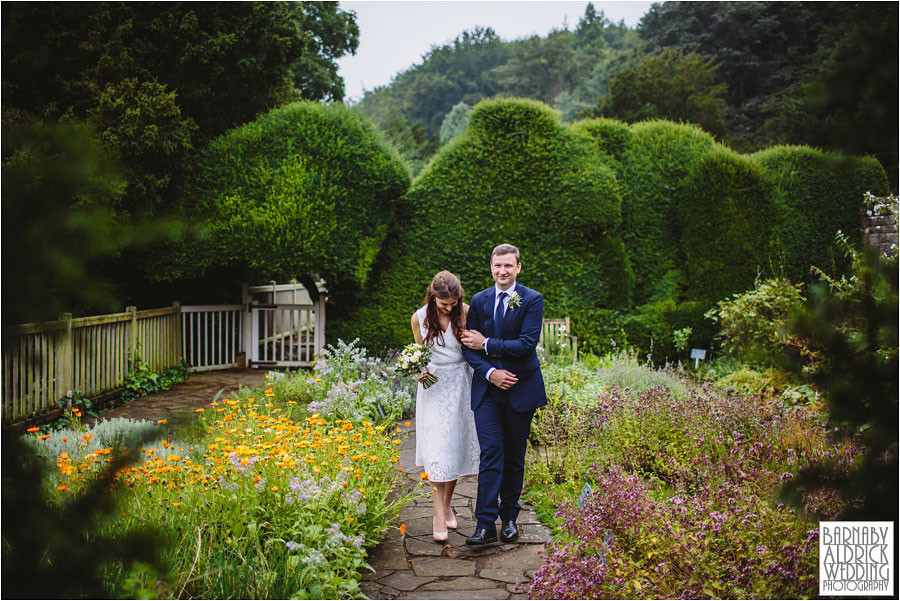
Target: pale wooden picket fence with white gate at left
[(89, 357)]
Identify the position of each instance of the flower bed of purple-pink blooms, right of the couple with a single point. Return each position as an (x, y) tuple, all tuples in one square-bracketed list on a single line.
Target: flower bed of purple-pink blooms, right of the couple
[(684, 500)]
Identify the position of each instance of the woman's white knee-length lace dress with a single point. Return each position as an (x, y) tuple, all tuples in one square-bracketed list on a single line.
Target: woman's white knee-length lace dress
[(446, 443)]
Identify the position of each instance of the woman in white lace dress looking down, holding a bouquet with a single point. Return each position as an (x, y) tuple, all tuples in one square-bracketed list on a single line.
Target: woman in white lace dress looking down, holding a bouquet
[(446, 443)]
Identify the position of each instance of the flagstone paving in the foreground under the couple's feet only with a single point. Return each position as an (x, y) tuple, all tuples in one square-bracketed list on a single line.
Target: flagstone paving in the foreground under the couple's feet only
[(414, 566)]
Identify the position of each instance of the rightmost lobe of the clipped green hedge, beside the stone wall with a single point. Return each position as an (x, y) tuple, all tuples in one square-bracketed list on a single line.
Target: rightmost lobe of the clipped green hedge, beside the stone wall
[(816, 194)]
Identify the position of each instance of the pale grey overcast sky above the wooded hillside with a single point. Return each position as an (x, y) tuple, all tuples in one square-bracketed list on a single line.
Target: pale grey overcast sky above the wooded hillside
[(395, 35)]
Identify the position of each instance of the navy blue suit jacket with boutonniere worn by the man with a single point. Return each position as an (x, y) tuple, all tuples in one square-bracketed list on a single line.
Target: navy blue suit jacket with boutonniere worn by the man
[(512, 349)]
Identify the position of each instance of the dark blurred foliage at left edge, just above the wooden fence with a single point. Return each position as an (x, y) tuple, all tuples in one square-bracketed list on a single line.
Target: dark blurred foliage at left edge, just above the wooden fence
[(59, 190)]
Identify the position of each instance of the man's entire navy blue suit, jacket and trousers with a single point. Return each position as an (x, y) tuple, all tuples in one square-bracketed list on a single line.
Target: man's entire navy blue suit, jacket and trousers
[(503, 417)]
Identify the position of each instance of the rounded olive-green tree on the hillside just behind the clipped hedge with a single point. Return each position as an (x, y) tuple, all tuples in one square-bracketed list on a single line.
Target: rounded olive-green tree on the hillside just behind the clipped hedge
[(670, 85)]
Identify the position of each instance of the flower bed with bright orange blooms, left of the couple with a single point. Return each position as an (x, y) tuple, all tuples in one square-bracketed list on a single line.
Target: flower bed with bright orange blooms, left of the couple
[(271, 501)]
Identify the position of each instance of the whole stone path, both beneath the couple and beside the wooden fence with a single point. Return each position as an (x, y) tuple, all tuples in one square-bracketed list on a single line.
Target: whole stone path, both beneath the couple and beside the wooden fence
[(411, 566)]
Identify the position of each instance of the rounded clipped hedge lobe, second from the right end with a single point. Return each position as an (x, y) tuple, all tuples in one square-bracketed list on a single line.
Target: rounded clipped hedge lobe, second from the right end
[(726, 216)]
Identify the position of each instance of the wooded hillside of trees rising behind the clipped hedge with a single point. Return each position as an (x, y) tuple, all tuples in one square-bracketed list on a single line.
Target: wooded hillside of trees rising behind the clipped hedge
[(753, 74)]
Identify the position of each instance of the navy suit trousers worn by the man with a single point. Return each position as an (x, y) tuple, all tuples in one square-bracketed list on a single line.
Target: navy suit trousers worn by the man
[(503, 437)]
